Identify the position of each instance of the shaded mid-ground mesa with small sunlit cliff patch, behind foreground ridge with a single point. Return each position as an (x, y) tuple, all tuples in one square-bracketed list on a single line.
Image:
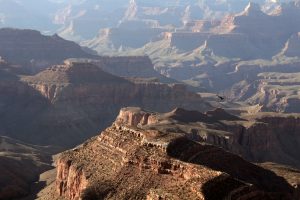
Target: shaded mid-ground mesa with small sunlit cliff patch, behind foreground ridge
[(76, 100)]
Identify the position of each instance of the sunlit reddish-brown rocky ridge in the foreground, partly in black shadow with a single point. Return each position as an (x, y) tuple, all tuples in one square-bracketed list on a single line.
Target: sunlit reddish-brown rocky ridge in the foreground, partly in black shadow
[(158, 164)]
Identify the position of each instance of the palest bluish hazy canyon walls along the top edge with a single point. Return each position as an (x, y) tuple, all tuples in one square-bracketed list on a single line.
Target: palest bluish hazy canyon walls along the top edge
[(70, 17)]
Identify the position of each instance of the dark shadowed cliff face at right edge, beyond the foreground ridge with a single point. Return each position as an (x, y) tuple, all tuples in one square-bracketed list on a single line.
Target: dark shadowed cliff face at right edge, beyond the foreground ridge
[(272, 138)]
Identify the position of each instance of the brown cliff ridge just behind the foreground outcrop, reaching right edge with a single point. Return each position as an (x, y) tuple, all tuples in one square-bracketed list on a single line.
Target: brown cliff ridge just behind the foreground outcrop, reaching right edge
[(257, 138)]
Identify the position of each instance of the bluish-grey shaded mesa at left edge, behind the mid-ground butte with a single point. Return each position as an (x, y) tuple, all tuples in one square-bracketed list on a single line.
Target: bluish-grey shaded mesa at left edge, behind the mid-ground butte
[(34, 49)]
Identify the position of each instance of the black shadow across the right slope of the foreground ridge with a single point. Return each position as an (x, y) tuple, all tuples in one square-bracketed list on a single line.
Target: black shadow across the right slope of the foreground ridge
[(218, 159)]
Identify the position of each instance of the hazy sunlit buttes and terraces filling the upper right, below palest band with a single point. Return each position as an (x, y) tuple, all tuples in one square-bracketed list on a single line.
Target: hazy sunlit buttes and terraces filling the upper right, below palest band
[(250, 55)]
